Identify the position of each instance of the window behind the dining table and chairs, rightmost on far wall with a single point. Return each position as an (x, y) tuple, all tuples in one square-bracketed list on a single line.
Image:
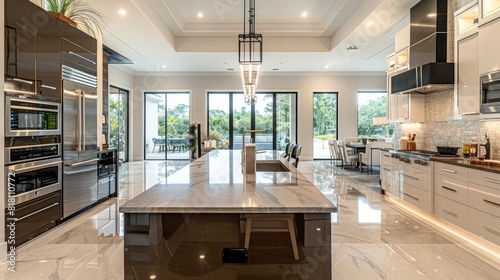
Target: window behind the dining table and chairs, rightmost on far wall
[(371, 104)]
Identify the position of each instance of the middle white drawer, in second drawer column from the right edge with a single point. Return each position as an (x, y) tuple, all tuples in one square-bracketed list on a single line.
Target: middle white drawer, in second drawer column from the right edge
[(451, 188)]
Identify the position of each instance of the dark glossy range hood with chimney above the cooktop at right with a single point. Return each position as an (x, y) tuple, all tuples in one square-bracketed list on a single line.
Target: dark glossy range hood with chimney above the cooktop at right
[(429, 72)]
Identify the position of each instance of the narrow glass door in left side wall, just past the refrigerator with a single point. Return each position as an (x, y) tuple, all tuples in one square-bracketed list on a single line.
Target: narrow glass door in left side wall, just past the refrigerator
[(118, 121)]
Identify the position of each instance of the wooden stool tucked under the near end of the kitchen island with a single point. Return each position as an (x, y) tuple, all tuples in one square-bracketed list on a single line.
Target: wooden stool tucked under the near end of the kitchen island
[(272, 217)]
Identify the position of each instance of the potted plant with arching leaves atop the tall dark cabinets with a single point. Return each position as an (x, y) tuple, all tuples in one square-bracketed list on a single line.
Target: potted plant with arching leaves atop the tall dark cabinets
[(78, 13)]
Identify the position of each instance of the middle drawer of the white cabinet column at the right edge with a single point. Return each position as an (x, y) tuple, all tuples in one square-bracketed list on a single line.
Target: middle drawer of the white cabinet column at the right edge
[(485, 199)]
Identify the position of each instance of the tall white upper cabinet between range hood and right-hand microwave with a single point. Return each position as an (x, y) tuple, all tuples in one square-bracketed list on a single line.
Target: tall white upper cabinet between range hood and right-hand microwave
[(466, 58)]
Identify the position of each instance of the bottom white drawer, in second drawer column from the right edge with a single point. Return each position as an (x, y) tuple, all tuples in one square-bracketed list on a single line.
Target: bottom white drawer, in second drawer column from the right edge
[(451, 211)]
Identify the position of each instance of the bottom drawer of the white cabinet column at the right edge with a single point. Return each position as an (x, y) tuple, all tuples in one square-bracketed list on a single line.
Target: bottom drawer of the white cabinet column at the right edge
[(485, 225)]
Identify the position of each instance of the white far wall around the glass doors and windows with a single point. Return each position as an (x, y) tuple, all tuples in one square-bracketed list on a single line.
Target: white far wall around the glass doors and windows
[(305, 86)]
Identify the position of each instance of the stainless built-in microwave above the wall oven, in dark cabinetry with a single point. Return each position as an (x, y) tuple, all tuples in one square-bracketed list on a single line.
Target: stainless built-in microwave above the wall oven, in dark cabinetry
[(32, 117)]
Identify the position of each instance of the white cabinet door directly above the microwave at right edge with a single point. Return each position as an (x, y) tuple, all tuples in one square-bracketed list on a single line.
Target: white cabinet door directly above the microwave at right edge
[(489, 56)]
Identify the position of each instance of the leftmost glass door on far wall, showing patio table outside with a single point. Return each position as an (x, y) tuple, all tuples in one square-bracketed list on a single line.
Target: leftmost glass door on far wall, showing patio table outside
[(166, 122)]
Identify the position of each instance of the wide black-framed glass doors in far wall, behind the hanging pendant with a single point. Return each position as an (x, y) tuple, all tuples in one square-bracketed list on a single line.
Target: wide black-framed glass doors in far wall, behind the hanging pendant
[(229, 116)]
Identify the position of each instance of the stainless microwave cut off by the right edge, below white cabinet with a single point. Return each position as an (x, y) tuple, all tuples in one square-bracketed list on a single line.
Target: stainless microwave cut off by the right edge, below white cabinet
[(490, 92)]
